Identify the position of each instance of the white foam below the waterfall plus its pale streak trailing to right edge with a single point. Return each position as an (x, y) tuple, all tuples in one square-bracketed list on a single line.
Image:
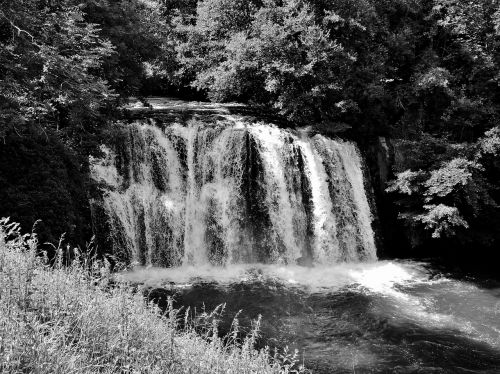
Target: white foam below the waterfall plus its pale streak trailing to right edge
[(405, 292)]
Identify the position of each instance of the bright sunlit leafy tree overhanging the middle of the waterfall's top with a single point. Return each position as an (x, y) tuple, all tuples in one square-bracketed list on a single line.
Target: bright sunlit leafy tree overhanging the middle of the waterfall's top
[(273, 53)]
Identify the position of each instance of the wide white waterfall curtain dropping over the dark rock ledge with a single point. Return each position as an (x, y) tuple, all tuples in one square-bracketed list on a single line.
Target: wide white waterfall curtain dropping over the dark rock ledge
[(234, 192)]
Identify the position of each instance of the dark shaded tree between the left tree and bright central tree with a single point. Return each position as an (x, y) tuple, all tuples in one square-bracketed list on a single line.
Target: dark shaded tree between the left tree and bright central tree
[(140, 32)]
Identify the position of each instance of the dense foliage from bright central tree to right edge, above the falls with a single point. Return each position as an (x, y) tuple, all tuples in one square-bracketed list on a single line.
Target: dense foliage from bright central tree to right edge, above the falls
[(397, 66)]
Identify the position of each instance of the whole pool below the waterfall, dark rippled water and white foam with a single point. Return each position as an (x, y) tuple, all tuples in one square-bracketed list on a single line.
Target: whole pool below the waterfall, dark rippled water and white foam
[(384, 317)]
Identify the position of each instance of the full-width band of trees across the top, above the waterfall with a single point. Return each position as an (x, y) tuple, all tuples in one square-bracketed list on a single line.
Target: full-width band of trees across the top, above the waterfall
[(399, 67)]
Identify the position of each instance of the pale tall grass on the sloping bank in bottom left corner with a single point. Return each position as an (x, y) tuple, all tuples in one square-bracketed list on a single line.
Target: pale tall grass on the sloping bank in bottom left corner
[(69, 319)]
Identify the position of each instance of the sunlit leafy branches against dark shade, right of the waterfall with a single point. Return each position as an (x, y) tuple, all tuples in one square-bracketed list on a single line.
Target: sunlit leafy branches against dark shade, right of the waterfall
[(449, 196)]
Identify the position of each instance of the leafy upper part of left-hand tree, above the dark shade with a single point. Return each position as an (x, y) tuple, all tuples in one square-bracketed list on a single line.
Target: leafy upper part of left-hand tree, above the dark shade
[(50, 60)]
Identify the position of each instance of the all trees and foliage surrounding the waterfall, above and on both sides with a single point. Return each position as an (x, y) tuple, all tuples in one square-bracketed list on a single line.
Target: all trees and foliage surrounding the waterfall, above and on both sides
[(425, 72)]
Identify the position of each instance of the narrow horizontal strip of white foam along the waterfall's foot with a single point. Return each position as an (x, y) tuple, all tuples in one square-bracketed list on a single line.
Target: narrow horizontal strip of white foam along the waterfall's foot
[(381, 276)]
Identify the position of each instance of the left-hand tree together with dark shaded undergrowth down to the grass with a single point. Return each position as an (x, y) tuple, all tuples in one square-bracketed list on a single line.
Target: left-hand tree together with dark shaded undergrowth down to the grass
[(53, 104)]
